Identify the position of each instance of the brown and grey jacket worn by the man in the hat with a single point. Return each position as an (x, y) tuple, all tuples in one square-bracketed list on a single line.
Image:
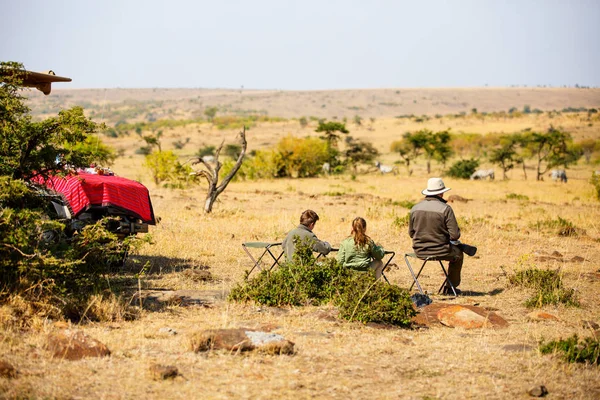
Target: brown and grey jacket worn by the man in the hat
[(432, 226)]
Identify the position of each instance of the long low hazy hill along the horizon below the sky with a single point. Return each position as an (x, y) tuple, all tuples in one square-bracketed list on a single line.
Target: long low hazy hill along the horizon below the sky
[(132, 105)]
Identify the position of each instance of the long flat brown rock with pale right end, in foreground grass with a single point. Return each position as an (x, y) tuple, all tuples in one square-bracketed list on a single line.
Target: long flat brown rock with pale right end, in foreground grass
[(241, 340)]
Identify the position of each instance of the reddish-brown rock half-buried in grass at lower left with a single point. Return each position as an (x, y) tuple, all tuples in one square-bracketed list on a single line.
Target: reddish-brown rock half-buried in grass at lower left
[(75, 345)]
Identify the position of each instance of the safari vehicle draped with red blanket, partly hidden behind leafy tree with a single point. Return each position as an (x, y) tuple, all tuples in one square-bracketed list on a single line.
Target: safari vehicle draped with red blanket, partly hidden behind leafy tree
[(86, 196)]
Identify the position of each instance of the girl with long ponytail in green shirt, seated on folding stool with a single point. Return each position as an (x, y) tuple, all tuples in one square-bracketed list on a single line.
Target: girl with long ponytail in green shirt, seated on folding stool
[(359, 252)]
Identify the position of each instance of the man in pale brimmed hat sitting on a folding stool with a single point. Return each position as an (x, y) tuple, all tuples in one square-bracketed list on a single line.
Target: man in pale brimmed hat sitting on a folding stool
[(435, 232)]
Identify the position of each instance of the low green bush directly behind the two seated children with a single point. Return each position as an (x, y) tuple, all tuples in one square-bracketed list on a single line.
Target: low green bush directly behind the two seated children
[(306, 281)]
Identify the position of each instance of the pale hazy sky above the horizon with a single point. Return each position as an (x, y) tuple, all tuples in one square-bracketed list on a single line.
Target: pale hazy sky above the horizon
[(305, 44)]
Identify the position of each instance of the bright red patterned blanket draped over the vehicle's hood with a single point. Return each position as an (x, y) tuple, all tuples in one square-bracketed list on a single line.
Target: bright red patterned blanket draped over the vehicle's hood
[(83, 190)]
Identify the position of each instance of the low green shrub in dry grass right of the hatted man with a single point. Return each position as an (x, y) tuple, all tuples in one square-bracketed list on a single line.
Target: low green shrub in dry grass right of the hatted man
[(547, 285)]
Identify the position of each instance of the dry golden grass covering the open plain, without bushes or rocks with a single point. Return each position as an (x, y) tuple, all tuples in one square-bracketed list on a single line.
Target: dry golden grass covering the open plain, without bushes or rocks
[(335, 358)]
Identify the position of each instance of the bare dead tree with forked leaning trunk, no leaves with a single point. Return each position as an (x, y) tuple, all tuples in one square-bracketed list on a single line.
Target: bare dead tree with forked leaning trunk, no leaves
[(211, 173)]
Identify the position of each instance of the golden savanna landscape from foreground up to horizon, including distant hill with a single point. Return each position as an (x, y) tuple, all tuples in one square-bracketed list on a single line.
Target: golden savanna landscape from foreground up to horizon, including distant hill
[(177, 284)]
